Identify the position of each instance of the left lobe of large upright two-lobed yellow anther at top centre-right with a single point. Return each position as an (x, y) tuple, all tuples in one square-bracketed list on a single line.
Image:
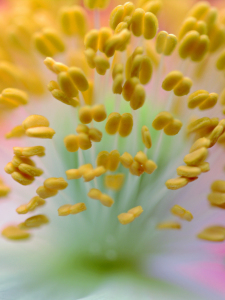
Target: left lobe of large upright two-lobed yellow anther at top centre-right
[(137, 22)]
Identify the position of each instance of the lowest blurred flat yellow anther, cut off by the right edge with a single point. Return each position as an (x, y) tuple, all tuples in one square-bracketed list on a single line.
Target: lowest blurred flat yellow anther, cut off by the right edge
[(213, 234)]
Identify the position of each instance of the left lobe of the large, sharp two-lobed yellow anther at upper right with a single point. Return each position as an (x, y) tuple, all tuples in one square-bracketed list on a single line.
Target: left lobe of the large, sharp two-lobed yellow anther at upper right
[(188, 43)]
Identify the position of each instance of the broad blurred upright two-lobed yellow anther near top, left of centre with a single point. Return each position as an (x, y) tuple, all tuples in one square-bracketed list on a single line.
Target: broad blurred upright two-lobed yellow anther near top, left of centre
[(73, 20)]
